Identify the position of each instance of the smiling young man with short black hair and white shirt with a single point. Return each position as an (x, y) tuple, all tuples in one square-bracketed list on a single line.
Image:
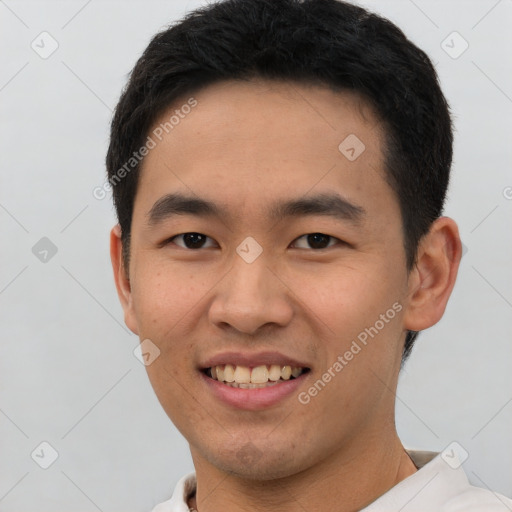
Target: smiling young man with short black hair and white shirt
[(279, 169)]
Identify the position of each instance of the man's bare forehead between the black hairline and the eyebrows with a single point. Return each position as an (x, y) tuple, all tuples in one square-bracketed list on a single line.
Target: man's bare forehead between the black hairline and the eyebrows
[(247, 142)]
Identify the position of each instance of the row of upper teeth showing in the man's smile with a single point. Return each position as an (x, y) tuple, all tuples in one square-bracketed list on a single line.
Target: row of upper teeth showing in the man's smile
[(256, 375)]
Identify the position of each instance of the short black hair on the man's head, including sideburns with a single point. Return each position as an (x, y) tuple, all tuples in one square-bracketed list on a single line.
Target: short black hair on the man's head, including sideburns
[(324, 42)]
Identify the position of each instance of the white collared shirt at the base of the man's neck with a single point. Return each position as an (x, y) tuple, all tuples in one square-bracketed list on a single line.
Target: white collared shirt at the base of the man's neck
[(436, 487)]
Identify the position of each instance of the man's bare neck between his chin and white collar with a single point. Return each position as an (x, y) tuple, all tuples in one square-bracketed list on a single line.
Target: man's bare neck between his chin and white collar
[(348, 481)]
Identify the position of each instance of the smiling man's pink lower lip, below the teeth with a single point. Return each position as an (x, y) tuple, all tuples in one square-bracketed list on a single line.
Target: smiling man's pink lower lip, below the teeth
[(253, 399)]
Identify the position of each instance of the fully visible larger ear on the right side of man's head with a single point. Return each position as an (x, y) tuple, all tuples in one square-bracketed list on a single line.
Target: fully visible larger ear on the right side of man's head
[(432, 278)]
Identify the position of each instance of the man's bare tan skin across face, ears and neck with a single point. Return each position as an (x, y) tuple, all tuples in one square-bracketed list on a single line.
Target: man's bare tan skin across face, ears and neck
[(245, 146)]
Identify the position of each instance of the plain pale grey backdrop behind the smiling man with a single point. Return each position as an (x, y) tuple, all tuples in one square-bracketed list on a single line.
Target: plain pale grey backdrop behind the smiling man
[(68, 375)]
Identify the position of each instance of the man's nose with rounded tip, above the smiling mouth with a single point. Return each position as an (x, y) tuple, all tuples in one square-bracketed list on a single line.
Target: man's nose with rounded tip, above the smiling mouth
[(249, 297)]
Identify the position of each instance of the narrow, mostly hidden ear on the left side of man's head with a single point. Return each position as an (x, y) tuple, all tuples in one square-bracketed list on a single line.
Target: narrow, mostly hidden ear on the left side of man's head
[(121, 278)]
